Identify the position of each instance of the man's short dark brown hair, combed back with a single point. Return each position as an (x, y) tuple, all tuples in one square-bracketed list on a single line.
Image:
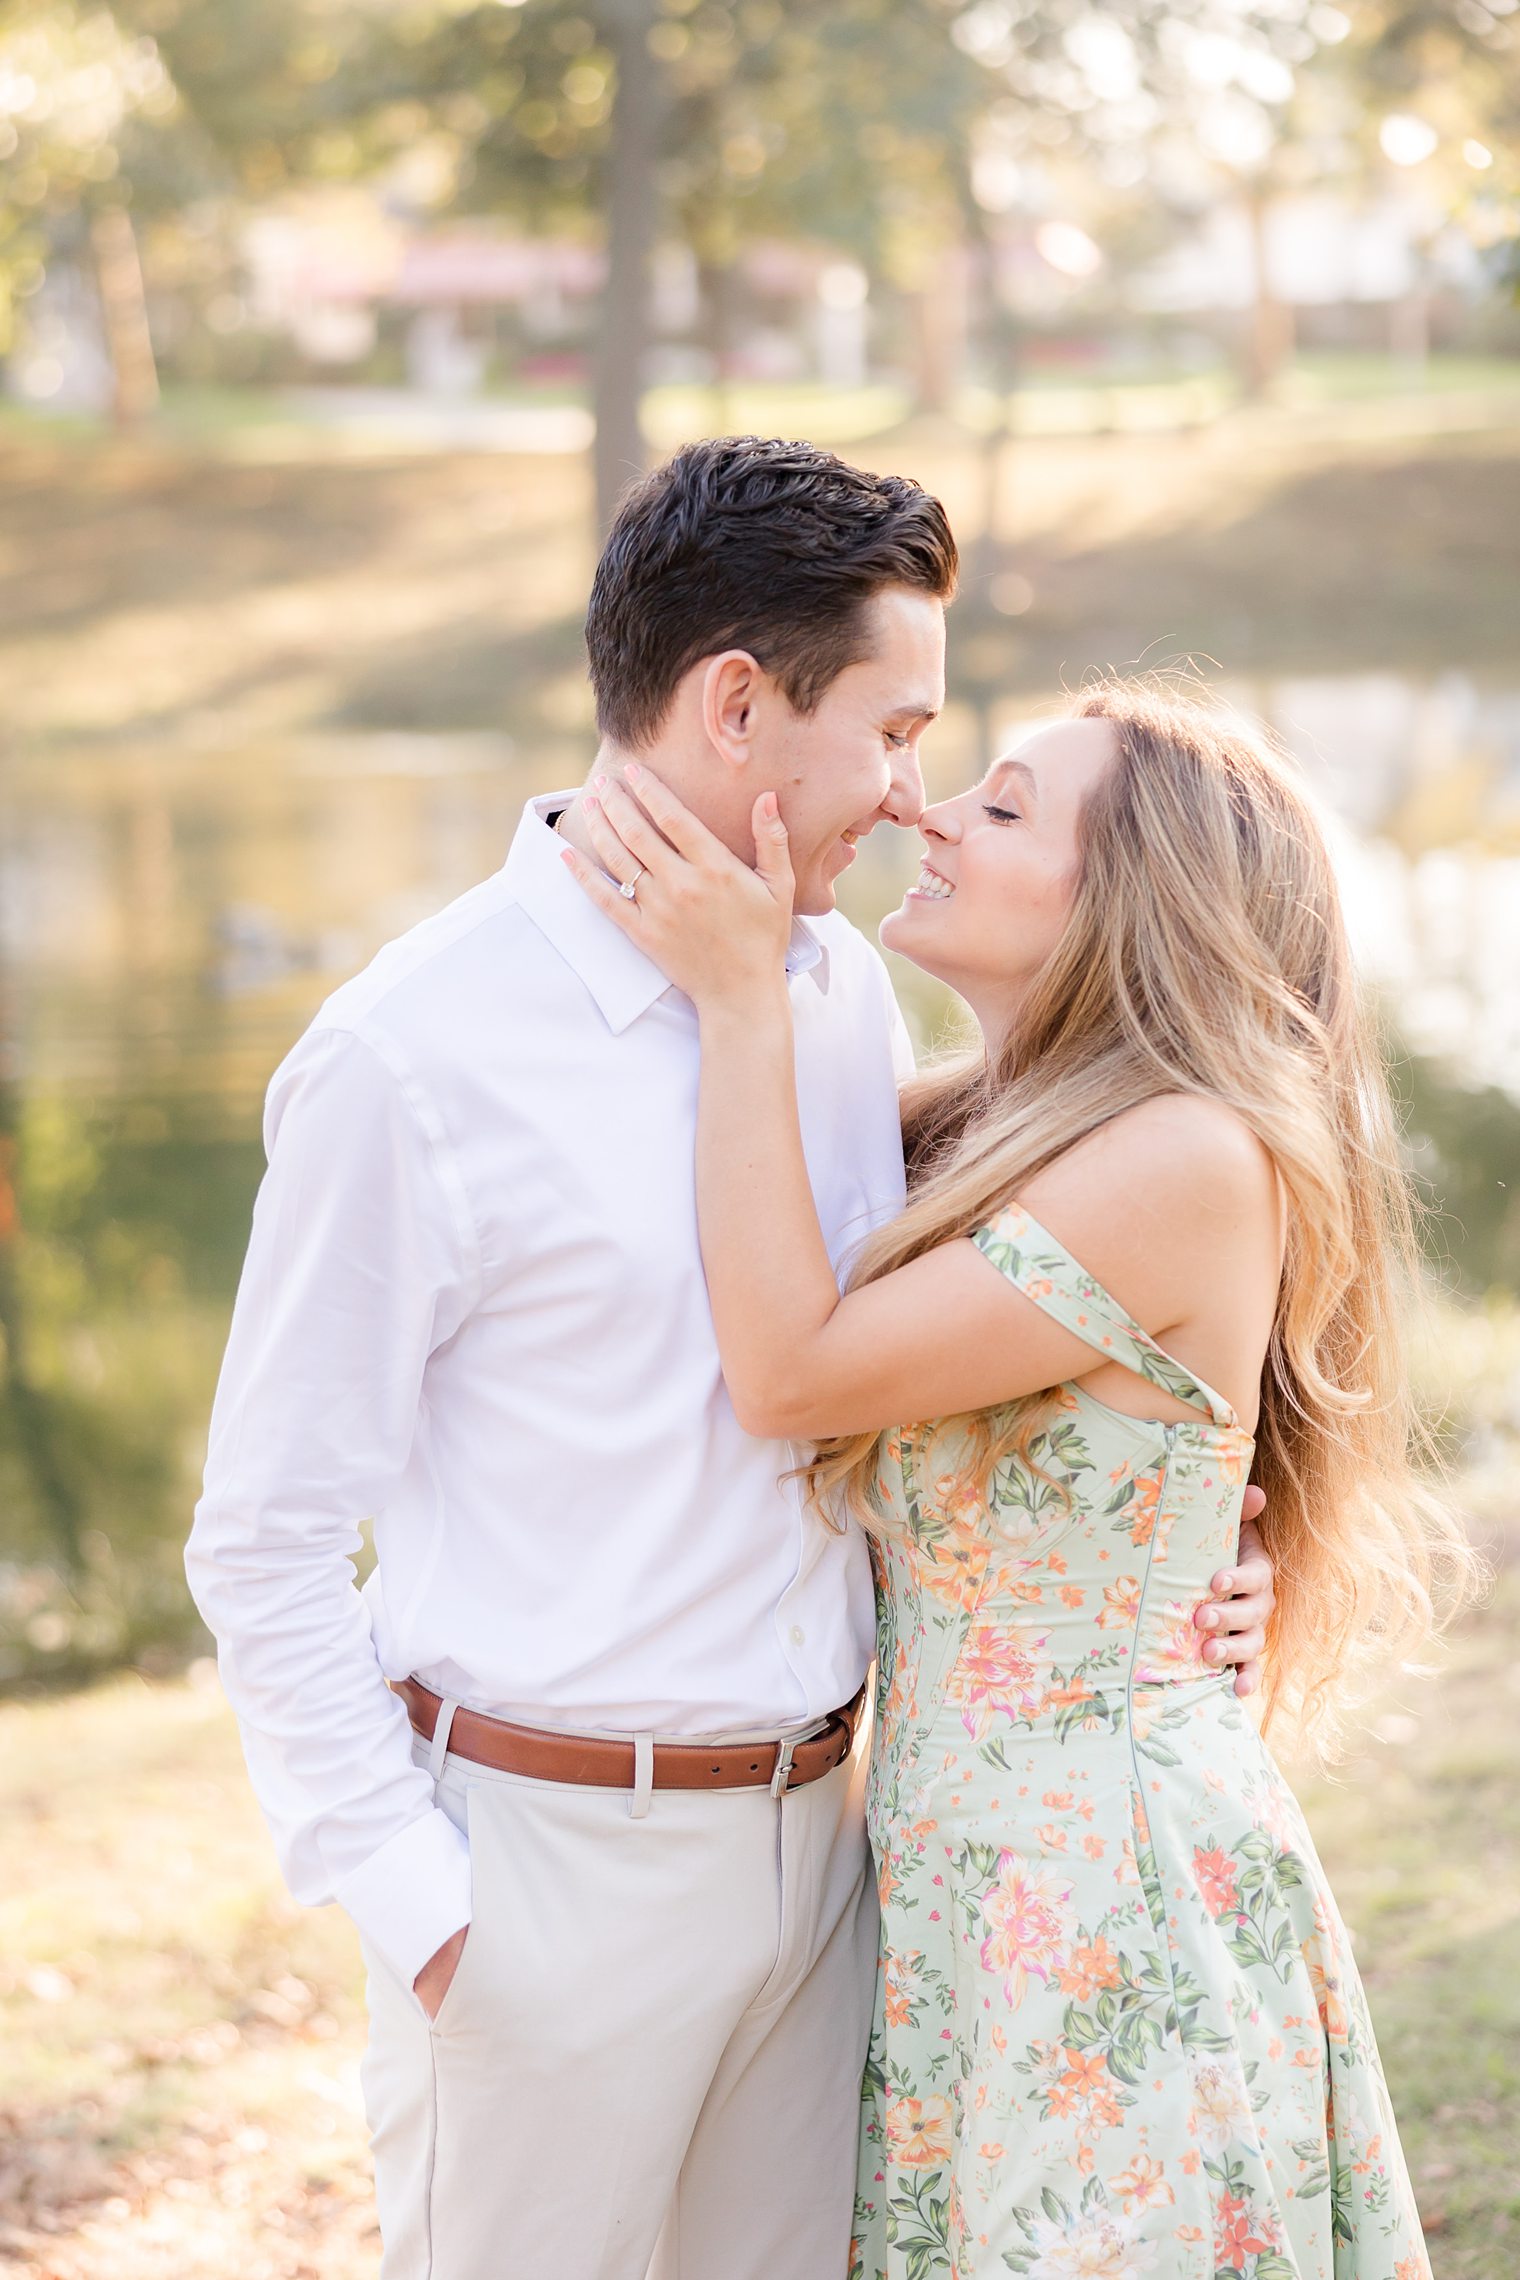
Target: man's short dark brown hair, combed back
[(749, 544)]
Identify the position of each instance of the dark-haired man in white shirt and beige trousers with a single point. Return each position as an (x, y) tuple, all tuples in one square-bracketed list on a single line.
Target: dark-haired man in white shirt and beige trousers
[(598, 1832)]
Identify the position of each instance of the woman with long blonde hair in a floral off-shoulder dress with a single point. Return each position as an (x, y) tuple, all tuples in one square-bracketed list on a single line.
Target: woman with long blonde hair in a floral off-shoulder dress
[(1152, 1239)]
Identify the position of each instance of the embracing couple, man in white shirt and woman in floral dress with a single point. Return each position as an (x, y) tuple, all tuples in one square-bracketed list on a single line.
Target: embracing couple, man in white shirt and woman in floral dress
[(692, 1355)]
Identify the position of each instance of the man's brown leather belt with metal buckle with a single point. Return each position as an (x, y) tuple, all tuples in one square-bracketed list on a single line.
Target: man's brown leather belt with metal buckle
[(610, 1766)]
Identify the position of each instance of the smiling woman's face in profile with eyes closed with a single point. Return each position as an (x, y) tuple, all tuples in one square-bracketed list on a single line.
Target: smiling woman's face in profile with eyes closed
[(1002, 868)]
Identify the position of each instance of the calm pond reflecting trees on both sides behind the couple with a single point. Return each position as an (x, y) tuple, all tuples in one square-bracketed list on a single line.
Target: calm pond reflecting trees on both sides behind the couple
[(170, 918)]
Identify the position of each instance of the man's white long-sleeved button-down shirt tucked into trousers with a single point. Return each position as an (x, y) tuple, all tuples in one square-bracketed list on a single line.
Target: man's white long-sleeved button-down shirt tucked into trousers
[(475, 1312)]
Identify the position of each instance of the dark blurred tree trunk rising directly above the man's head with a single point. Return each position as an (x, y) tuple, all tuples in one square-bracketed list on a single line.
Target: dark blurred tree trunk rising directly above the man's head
[(632, 222)]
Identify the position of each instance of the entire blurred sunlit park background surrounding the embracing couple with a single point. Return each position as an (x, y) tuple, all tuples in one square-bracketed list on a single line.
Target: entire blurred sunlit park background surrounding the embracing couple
[(327, 339)]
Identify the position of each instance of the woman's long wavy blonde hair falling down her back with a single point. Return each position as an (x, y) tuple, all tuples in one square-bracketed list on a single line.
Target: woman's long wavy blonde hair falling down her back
[(1207, 954)]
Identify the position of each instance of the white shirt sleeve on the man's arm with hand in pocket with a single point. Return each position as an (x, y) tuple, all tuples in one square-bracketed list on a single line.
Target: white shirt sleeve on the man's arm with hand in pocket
[(359, 1267)]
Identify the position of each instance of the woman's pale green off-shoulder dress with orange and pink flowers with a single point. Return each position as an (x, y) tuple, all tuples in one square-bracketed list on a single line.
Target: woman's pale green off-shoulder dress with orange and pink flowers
[(1118, 2026)]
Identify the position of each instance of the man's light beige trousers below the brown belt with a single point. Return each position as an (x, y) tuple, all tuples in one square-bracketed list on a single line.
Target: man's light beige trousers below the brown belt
[(648, 2062)]
